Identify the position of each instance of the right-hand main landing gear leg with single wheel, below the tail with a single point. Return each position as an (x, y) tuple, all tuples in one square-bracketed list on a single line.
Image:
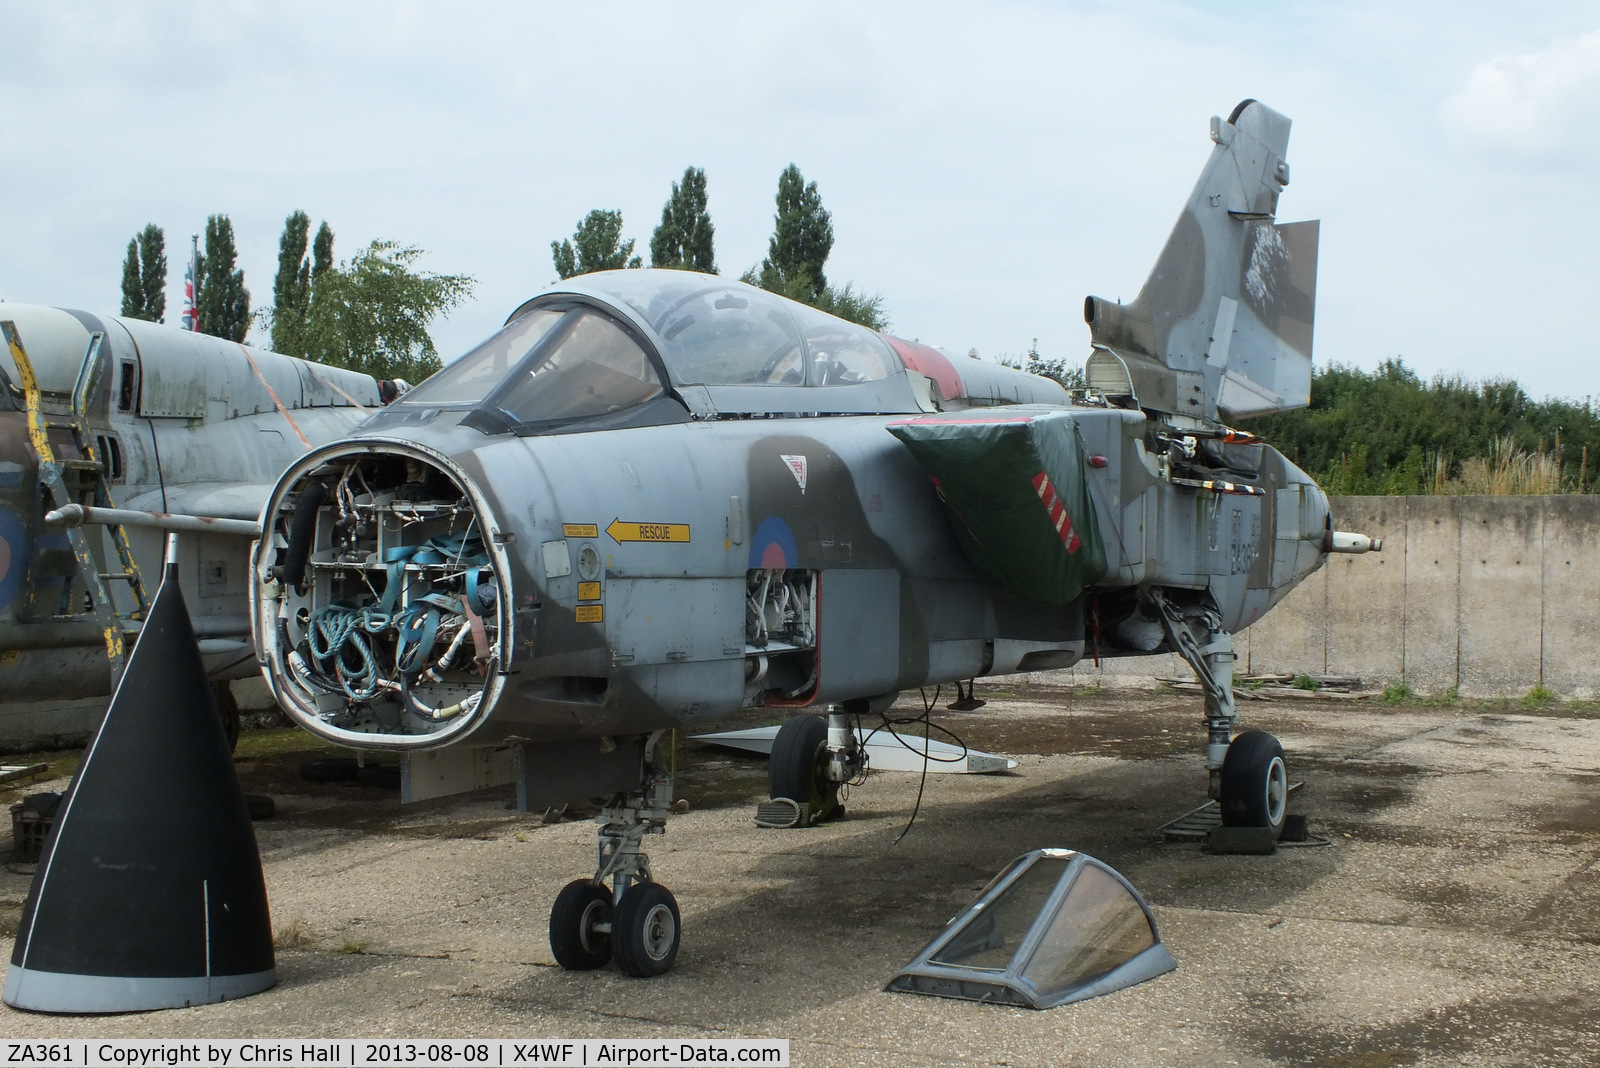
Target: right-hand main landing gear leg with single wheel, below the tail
[(1247, 776)]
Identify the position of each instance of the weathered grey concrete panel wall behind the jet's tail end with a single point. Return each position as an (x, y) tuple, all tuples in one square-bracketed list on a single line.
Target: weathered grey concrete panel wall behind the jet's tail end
[(1492, 596)]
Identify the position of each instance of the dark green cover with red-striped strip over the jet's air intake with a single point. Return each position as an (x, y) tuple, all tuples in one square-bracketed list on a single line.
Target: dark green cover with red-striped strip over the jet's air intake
[(1015, 488)]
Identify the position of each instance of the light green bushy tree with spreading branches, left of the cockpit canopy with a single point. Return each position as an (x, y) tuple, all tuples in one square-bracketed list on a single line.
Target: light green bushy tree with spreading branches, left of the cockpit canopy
[(372, 314)]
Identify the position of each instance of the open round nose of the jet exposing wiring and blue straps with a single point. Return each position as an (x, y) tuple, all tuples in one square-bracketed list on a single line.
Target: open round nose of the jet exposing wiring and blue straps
[(382, 597)]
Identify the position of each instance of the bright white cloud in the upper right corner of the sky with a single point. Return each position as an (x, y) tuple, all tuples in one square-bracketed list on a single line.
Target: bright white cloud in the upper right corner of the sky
[(1542, 105)]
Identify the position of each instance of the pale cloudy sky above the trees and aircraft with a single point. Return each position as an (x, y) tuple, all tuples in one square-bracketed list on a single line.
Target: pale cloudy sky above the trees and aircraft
[(988, 165)]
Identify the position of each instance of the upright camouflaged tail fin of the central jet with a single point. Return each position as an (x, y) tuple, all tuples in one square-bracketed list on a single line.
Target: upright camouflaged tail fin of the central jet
[(1223, 325)]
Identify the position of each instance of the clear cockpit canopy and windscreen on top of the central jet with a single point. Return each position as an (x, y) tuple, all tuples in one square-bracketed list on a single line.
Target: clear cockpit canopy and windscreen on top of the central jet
[(642, 348)]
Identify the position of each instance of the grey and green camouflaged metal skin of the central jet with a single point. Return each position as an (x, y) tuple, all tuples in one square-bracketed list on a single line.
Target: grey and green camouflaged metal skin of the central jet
[(1202, 533)]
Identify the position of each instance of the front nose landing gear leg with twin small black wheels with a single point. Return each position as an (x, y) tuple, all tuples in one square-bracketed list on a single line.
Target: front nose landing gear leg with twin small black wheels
[(636, 922)]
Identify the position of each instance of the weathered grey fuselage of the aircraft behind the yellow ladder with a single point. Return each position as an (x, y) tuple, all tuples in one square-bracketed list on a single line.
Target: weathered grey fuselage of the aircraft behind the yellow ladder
[(188, 424)]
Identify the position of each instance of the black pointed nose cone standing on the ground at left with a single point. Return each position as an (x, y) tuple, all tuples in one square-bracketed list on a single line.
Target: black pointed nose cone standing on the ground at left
[(150, 891)]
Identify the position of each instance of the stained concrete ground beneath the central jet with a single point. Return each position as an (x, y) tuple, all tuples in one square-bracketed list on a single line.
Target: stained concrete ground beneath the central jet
[(1452, 920)]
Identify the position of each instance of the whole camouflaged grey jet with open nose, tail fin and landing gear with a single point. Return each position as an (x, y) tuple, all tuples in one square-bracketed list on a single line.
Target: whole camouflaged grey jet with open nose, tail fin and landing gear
[(657, 498)]
